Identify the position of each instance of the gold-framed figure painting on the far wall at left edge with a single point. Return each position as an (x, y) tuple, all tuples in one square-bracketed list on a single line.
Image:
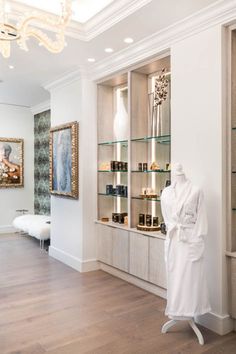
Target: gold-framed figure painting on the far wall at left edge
[(11, 163)]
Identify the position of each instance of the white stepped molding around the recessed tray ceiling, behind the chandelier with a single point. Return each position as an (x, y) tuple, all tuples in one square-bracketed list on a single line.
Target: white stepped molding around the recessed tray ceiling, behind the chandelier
[(105, 19)]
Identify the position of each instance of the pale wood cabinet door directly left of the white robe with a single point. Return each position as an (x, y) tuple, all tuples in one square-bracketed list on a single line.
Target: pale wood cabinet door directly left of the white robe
[(157, 268)]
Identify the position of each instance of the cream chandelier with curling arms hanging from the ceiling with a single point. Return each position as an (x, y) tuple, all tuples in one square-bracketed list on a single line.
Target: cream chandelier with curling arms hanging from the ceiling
[(34, 26)]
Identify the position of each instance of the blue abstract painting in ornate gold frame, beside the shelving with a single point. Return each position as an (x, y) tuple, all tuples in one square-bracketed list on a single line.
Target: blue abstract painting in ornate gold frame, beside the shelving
[(64, 158)]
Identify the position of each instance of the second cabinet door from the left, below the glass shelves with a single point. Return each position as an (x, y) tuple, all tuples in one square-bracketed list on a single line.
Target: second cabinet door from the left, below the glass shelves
[(121, 249)]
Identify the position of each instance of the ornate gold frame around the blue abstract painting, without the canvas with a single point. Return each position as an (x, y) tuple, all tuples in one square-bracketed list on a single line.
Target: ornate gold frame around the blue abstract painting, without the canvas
[(74, 126)]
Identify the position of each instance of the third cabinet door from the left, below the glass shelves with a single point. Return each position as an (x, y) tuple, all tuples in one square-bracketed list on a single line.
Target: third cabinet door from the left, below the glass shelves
[(139, 255)]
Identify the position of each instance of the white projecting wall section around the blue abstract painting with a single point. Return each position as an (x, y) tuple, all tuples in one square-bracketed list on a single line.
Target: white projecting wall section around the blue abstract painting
[(72, 236)]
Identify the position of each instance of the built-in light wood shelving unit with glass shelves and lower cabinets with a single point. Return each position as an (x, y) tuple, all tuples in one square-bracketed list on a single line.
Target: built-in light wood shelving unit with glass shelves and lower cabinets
[(125, 136)]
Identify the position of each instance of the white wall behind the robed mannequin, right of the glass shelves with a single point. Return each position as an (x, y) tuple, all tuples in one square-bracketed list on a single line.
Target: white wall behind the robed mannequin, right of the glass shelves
[(197, 141)]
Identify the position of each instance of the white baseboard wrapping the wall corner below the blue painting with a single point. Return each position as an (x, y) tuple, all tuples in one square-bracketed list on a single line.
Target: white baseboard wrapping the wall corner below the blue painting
[(74, 262)]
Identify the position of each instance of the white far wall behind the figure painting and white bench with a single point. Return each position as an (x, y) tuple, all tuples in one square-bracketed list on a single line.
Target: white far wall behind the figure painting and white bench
[(17, 122)]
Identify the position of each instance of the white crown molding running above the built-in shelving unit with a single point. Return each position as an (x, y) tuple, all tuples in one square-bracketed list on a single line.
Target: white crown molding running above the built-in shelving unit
[(222, 12)]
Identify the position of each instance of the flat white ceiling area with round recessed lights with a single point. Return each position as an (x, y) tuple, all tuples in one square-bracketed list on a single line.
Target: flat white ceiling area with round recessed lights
[(23, 84)]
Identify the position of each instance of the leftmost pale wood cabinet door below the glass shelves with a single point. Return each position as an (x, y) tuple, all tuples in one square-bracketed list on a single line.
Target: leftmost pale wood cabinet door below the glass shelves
[(105, 244)]
